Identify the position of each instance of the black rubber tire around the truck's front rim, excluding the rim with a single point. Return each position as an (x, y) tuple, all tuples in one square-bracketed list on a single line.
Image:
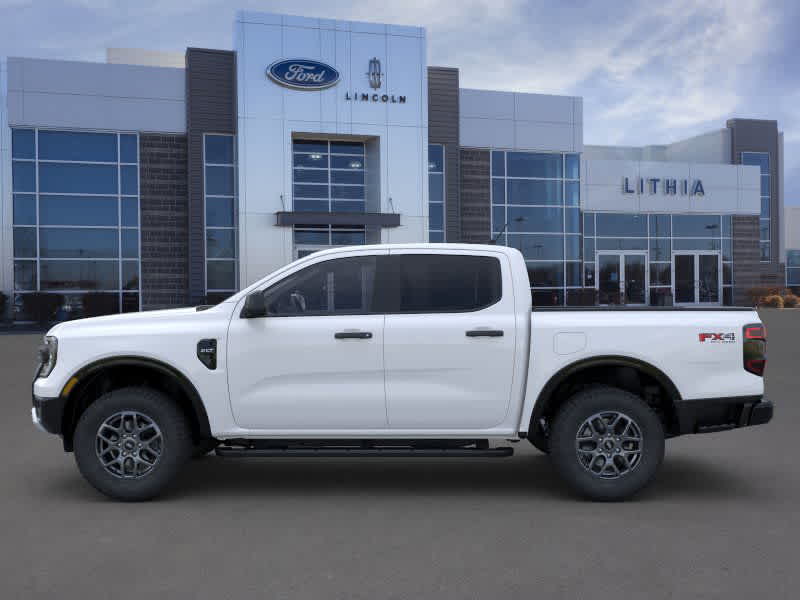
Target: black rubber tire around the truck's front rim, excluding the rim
[(175, 447)]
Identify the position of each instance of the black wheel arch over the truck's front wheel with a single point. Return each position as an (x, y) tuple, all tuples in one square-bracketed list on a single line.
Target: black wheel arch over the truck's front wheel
[(103, 375)]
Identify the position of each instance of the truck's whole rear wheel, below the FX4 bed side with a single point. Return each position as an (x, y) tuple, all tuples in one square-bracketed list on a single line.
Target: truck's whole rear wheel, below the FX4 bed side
[(606, 443)]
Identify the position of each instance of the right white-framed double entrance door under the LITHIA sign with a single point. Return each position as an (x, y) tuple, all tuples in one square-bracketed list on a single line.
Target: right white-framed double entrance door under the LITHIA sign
[(697, 278)]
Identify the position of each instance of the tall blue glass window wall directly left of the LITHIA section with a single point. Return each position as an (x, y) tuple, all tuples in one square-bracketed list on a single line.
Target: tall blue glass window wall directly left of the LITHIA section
[(536, 209)]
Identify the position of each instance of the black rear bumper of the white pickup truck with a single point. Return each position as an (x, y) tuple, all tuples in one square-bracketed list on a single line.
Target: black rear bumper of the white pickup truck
[(720, 414)]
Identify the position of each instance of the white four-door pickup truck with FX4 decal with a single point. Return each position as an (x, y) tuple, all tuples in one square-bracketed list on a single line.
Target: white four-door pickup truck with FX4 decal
[(410, 350)]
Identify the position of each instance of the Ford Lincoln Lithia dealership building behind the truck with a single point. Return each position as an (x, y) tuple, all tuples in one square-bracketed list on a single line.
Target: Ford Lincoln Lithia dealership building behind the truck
[(157, 180)]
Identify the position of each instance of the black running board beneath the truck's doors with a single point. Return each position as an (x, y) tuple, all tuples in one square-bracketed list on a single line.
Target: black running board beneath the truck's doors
[(341, 452)]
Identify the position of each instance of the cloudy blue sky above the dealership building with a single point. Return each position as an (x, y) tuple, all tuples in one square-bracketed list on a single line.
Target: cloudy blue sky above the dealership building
[(649, 72)]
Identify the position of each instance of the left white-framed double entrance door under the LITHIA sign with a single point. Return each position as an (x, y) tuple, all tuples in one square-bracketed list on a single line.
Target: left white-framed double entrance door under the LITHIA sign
[(622, 278)]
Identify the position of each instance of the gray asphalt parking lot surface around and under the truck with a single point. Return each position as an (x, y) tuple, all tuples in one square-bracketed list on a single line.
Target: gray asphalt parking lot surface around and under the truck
[(721, 521)]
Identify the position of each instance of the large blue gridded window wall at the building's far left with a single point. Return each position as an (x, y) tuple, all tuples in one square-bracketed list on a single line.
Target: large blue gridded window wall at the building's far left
[(76, 223)]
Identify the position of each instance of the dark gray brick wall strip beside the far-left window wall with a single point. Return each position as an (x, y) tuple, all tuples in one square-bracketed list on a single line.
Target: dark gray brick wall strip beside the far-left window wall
[(164, 220)]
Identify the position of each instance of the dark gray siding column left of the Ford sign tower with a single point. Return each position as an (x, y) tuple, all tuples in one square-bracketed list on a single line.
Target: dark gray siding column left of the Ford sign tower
[(210, 108)]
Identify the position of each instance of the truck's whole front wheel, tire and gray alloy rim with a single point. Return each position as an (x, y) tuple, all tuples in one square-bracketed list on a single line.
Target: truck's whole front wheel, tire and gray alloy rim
[(130, 443)]
